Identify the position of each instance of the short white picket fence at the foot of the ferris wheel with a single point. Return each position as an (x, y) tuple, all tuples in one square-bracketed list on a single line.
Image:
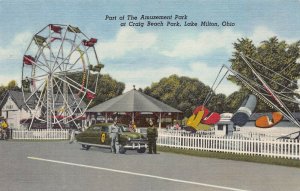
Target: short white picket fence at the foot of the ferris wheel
[(40, 134)]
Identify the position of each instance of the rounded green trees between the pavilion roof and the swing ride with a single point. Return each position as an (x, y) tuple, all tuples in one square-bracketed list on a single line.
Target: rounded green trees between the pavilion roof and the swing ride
[(184, 94)]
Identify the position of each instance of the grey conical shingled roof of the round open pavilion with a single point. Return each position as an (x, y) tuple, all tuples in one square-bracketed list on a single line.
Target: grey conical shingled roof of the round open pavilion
[(133, 101)]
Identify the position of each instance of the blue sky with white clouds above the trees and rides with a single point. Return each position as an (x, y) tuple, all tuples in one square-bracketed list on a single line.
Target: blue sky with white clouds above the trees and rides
[(142, 55)]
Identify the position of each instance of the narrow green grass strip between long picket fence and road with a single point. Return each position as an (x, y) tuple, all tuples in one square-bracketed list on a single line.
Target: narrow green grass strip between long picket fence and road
[(230, 156)]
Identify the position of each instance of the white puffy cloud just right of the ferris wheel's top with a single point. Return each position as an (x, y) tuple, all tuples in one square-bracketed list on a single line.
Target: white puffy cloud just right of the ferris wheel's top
[(127, 40)]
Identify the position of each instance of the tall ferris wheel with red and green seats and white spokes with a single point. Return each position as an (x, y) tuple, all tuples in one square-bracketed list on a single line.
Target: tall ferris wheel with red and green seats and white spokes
[(59, 74)]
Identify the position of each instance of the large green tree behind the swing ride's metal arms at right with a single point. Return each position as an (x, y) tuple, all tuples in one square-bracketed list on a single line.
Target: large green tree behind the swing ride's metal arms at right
[(273, 54)]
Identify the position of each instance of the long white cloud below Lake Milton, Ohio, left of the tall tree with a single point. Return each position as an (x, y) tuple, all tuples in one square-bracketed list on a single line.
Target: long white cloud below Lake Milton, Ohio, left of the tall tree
[(204, 43)]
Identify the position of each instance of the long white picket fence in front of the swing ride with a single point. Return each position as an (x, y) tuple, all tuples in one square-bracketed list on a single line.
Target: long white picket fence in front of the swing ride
[(235, 144)]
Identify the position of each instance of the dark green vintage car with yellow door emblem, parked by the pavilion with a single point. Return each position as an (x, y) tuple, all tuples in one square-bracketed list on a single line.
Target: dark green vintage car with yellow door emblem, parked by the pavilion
[(98, 136)]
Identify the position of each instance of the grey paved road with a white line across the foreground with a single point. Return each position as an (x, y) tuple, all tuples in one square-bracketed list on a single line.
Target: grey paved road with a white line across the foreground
[(56, 166)]
